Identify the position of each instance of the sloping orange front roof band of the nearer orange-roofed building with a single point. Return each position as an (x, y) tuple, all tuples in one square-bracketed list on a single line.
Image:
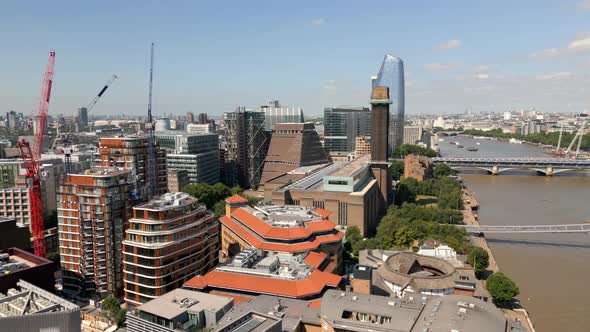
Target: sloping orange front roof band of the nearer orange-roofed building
[(314, 284)]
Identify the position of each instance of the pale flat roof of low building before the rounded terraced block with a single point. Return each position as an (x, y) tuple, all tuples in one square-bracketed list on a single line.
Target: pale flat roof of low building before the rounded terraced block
[(179, 301)]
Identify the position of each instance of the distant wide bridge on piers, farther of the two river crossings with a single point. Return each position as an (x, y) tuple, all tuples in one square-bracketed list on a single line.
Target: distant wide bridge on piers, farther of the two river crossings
[(547, 166)]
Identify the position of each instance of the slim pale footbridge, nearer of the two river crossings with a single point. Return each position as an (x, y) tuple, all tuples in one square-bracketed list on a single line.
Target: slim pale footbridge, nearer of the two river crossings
[(522, 229)]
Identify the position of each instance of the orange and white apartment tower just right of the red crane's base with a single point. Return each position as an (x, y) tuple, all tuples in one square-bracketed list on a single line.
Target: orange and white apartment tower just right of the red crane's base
[(93, 212)]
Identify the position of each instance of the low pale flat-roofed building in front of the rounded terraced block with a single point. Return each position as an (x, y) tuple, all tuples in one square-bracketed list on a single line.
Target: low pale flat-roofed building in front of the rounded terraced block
[(180, 310)]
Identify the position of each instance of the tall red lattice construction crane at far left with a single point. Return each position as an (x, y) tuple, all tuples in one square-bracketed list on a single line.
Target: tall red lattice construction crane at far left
[(32, 157)]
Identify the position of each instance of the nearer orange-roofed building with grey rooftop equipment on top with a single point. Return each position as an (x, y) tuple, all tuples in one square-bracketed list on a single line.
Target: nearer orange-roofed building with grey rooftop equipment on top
[(254, 272)]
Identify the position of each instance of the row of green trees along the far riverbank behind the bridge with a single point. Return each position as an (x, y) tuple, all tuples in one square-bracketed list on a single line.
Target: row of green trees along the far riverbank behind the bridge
[(542, 137)]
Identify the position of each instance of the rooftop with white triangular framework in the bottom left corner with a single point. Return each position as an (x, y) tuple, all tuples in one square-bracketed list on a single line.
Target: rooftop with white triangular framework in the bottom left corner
[(31, 300)]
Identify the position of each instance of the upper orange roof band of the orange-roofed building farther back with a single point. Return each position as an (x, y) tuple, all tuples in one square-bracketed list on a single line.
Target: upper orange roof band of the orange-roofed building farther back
[(266, 230)]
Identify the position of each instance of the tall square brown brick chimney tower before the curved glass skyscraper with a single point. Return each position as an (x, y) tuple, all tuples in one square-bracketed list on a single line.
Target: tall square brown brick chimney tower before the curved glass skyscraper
[(379, 150)]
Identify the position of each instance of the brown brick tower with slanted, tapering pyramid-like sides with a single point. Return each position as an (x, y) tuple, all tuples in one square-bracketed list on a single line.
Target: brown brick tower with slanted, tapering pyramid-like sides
[(292, 145)]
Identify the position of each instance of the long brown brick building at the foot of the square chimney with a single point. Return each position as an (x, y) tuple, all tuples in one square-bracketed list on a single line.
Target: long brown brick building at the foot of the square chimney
[(347, 190)]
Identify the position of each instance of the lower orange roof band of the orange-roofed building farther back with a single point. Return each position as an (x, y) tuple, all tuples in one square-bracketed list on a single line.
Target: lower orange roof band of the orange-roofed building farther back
[(256, 242)]
